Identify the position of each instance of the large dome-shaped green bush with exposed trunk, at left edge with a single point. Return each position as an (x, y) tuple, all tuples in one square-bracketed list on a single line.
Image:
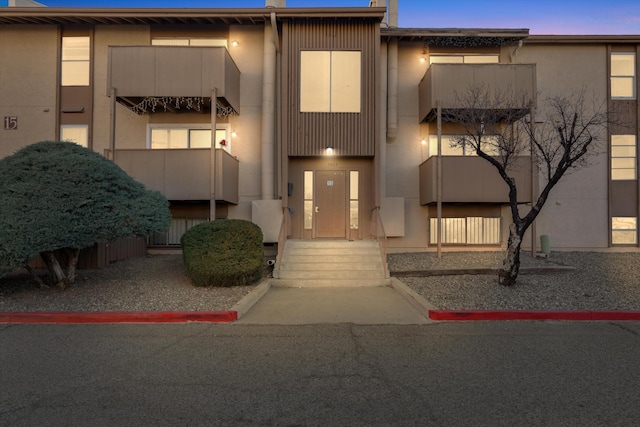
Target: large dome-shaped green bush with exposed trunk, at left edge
[(58, 197)]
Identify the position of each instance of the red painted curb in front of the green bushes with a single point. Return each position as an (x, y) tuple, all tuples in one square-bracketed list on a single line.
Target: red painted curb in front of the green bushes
[(121, 317)]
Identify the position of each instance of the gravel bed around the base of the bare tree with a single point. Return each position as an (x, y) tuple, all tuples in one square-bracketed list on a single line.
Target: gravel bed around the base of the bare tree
[(600, 281)]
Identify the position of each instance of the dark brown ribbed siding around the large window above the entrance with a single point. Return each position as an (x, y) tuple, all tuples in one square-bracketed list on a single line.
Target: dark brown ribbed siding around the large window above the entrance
[(350, 134)]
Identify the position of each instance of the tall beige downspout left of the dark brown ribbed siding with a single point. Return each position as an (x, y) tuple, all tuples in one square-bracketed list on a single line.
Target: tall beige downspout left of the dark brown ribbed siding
[(268, 109)]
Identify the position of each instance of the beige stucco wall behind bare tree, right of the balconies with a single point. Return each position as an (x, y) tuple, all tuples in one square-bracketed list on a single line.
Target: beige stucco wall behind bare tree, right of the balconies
[(576, 214)]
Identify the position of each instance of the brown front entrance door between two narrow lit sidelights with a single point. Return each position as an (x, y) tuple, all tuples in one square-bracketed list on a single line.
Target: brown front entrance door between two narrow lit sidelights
[(331, 204)]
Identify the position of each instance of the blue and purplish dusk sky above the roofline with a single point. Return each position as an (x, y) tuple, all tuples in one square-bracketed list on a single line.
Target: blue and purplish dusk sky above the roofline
[(540, 16)]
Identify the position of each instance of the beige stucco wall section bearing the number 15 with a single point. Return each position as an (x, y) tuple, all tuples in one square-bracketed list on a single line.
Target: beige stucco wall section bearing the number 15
[(28, 84)]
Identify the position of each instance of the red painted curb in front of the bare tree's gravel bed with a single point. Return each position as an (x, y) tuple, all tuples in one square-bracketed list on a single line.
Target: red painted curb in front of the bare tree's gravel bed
[(532, 315)]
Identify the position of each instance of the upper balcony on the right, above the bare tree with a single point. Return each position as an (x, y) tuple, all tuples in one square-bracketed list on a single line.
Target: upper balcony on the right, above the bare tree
[(446, 82)]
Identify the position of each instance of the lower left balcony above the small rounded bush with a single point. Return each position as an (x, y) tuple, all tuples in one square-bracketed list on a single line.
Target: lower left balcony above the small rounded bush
[(181, 174)]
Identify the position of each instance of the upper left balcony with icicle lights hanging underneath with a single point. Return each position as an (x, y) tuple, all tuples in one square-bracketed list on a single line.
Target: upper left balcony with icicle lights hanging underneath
[(187, 75)]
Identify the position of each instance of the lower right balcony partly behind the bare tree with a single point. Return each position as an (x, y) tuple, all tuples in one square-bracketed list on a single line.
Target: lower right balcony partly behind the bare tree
[(471, 179)]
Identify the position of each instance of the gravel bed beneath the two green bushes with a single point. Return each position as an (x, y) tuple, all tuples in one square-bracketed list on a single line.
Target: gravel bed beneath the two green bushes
[(151, 283)]
